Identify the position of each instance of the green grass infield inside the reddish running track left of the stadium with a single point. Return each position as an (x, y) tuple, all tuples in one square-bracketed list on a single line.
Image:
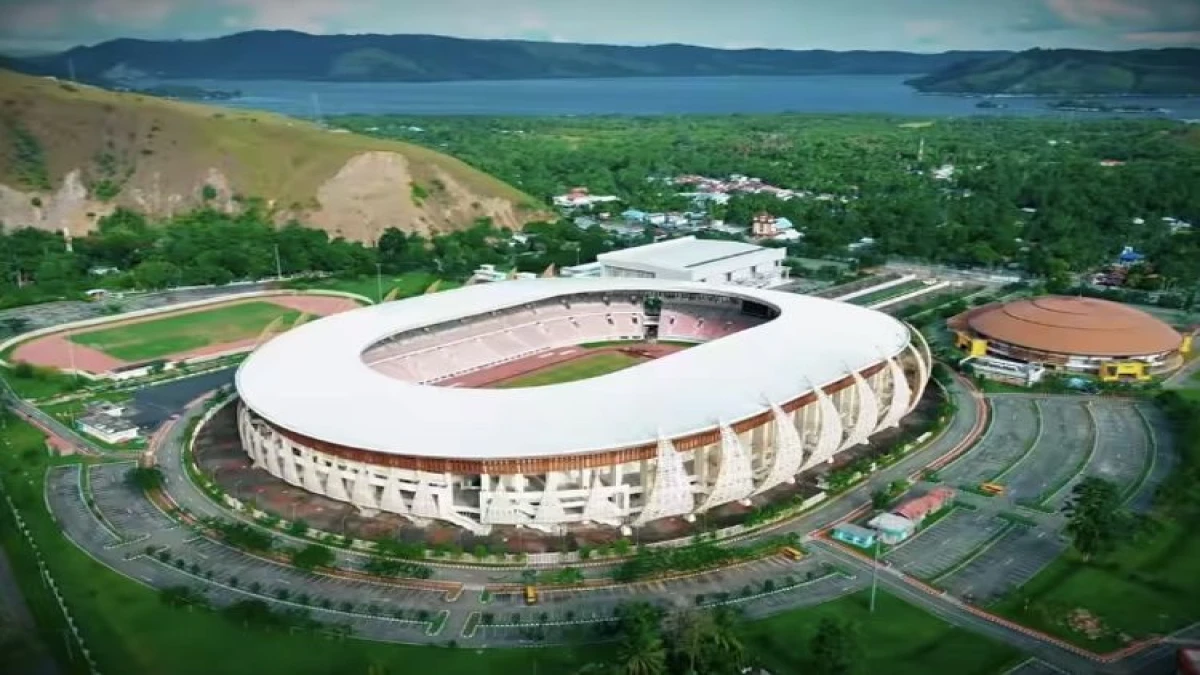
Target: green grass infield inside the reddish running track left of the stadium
[(185, 332)]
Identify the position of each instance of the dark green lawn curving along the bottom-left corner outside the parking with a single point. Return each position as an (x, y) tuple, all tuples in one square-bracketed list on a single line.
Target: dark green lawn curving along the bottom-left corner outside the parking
[(131, 632)]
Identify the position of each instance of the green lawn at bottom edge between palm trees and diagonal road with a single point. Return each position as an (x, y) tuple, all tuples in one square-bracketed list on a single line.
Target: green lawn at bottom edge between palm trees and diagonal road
[(898, 640)]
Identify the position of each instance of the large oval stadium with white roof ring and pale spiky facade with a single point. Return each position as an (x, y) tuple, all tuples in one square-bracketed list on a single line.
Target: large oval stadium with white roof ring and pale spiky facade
[(719, 395)]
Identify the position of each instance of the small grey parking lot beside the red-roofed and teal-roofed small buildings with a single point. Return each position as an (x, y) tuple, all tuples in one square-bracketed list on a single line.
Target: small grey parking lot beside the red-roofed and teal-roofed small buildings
[(946, 543)]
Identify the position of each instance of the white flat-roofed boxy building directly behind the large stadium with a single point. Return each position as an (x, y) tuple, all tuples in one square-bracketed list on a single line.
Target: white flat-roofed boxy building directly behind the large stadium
[(711, 261)]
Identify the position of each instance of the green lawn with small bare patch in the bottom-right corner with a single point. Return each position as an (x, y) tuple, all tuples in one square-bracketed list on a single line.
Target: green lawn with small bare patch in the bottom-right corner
[(1149, 587)]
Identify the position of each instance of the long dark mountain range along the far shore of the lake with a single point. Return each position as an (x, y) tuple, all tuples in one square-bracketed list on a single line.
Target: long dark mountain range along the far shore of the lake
[(427, 58)]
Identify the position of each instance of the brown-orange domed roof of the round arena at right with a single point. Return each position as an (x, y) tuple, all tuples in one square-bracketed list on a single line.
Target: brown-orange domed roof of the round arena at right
[(1076, 326)]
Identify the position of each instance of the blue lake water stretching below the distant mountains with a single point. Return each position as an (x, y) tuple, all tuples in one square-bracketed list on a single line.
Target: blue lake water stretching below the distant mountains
[(638, 97)]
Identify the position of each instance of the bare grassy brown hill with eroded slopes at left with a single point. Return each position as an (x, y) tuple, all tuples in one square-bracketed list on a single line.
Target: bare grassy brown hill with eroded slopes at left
[(71, 154)]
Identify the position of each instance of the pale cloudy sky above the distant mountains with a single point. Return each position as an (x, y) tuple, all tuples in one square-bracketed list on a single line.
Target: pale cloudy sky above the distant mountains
[(916, 26)]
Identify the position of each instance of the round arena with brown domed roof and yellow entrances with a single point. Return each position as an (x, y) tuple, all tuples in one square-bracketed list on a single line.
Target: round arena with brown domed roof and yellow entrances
[(1072, 336)]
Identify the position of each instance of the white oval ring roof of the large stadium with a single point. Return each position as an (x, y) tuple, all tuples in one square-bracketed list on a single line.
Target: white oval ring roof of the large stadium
[(314, 381)]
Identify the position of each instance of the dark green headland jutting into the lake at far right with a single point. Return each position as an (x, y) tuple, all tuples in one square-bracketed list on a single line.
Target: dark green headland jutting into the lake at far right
[(1072, 73)]
